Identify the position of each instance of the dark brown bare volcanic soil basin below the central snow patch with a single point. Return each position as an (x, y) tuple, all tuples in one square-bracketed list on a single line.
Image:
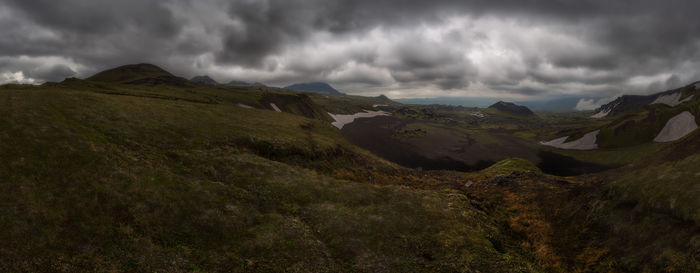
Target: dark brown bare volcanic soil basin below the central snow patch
[(454, 151)]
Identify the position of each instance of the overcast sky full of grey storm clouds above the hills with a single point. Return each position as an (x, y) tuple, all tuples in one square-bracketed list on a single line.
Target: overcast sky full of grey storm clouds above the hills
[(519, 49)]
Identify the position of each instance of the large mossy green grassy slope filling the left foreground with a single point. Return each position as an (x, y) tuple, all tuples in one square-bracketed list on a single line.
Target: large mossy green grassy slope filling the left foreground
[(142, 180)]
